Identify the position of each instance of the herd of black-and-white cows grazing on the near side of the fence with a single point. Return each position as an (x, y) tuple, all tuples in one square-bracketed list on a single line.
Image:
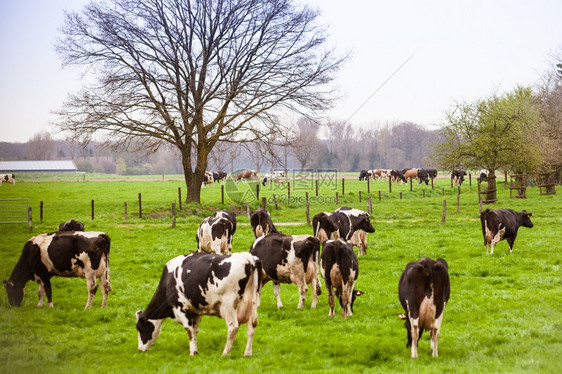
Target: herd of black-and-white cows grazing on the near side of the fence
[(215, 281)]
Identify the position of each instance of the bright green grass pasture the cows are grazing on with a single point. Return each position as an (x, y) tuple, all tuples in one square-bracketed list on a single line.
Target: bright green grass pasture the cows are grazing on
[(504, 314)]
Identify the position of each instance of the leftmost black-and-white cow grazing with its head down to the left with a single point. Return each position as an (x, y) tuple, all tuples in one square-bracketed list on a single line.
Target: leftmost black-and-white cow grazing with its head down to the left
[(83, 254)]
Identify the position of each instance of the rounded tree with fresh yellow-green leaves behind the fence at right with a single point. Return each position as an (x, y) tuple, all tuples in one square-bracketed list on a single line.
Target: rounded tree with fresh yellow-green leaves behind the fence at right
[(498, 132)]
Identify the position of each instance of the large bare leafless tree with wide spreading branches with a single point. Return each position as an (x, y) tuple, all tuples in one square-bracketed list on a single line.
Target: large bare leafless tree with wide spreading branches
[(192, 73)]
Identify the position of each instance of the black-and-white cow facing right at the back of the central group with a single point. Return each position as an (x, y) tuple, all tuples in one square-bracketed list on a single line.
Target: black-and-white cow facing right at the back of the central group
[(340, 224)]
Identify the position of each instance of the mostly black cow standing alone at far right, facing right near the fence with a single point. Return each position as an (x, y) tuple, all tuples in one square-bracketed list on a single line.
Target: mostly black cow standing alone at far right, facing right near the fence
[(500, 224)]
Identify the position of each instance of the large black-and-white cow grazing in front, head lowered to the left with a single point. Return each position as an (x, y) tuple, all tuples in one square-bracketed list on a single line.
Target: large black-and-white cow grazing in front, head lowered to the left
[(199, 284)]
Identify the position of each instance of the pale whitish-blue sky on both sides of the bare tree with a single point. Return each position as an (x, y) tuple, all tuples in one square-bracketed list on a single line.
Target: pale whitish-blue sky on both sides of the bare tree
[(409, 60)]
